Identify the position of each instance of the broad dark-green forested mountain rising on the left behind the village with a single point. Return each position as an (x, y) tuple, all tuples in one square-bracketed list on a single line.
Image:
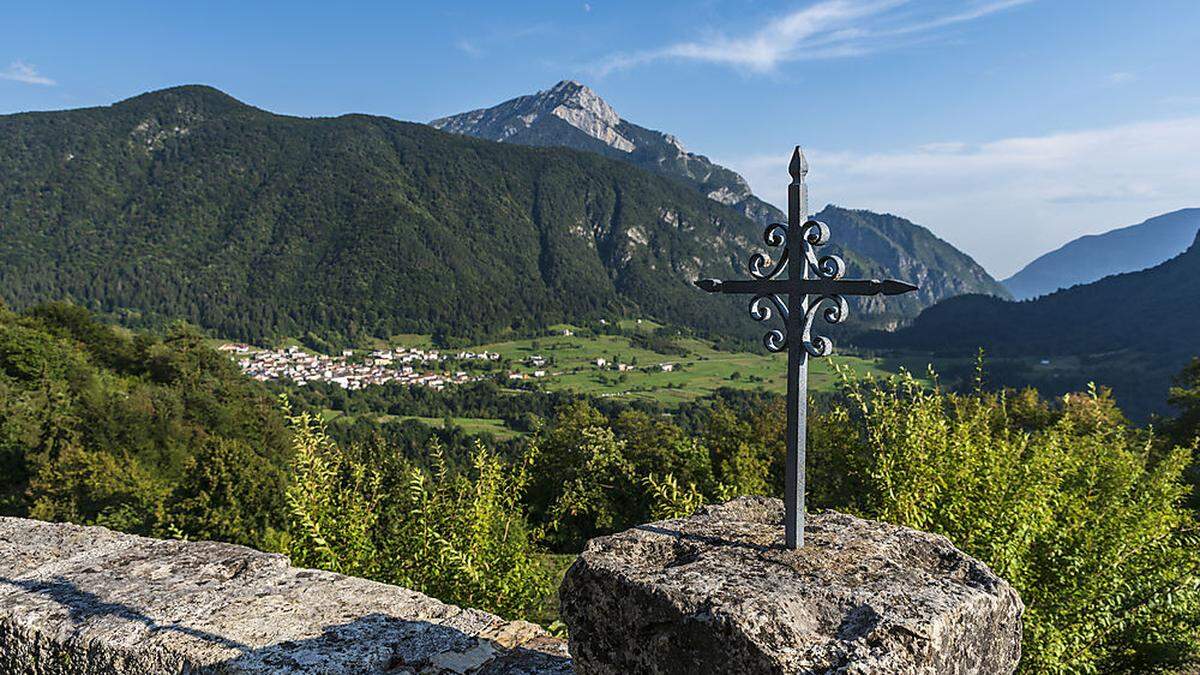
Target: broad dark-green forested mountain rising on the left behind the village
[(187, 204)]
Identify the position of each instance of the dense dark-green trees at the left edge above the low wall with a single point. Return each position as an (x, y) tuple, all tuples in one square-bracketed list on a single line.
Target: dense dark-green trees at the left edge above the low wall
[(159, 438)]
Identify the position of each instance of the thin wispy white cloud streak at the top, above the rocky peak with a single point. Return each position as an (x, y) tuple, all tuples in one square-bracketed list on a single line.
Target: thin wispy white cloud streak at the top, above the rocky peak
[(829, 29)]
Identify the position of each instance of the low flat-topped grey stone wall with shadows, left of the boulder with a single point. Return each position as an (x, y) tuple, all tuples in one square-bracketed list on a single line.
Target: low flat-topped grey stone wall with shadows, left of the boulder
[(89, 601)]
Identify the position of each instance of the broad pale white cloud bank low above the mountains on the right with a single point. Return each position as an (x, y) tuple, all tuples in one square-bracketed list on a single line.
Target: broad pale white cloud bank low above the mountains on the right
[(1006, 202)]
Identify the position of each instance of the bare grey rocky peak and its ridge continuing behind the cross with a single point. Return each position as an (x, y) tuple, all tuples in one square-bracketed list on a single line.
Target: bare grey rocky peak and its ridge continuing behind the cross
[(573, 116)]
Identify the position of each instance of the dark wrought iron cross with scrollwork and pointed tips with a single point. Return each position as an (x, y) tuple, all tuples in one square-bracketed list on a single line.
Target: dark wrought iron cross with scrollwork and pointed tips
[(800, 240)]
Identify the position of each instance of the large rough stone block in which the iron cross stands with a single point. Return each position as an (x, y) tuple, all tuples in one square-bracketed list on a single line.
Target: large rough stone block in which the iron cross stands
[(717, 593)]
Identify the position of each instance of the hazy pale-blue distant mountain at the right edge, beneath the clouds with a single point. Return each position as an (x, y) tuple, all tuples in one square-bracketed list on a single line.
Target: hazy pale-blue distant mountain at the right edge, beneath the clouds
[(1097, 256)]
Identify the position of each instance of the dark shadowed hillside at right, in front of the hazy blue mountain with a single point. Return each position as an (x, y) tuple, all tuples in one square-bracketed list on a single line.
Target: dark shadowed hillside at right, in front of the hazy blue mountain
[(1131, 331)]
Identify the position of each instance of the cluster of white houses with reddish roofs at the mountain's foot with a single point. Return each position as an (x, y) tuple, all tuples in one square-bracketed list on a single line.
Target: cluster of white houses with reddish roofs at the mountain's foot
[(349, 372)]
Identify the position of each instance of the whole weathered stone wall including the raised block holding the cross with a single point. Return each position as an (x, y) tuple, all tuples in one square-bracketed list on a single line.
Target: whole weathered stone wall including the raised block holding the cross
[(712, 594)]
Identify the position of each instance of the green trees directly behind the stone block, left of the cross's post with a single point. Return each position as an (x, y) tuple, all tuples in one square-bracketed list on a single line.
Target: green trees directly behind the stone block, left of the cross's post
[(597, 475)]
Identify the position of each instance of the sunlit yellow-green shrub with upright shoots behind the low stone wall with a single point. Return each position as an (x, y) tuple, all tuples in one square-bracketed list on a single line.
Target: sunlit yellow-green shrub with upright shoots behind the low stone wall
[(460, 537)]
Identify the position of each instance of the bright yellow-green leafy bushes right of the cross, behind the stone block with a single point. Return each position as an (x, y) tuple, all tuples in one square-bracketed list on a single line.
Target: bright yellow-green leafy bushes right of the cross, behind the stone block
[(1076, 510)]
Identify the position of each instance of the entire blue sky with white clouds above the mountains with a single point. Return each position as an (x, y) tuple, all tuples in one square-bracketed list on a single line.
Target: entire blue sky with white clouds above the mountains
[(1006, 127)]
